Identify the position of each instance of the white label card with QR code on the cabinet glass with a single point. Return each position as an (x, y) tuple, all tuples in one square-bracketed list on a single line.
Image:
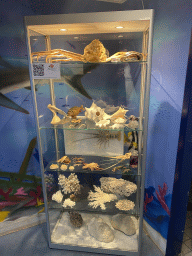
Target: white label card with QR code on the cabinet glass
[(46, 70)]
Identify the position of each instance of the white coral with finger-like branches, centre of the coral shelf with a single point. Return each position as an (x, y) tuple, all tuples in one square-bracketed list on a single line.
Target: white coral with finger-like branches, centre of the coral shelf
[(99, 198)]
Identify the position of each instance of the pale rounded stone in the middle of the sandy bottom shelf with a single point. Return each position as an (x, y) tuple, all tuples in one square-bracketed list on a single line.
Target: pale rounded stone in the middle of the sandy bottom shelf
[(100, 230)]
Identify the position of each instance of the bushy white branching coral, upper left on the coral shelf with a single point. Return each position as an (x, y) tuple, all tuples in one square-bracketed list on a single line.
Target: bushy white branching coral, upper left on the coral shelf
[(70, 184)]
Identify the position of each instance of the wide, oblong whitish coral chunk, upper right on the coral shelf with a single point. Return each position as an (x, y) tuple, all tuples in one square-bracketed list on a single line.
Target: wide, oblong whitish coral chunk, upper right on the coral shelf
[(117, 186)]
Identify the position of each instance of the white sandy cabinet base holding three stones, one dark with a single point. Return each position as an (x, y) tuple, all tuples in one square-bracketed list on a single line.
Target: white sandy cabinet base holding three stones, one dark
[(115, 232)]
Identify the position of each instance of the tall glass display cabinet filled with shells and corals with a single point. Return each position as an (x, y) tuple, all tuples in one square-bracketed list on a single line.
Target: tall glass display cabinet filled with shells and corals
[(90, 78)]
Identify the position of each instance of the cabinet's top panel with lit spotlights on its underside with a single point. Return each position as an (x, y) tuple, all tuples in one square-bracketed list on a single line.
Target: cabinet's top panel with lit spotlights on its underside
[(90, 23)]
